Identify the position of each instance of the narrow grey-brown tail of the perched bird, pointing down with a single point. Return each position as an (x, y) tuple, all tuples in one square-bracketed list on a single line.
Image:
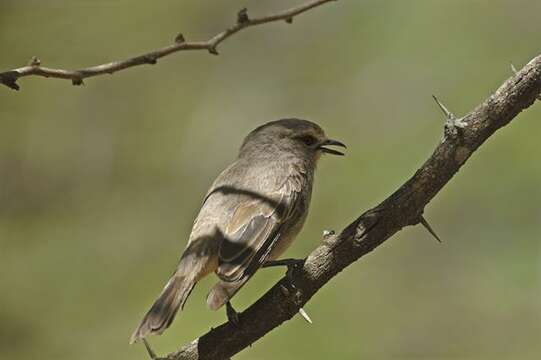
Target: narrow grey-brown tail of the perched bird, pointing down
[(164, 309)]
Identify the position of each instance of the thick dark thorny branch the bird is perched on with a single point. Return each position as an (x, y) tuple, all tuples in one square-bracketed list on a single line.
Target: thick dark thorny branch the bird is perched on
[(462, 136)]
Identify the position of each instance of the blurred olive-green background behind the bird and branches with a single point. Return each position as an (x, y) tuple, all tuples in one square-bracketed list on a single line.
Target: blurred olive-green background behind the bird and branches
[(99, 184)]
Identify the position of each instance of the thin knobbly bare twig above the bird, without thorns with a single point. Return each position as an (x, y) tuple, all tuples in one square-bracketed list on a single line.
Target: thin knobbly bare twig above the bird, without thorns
[(34, 68)]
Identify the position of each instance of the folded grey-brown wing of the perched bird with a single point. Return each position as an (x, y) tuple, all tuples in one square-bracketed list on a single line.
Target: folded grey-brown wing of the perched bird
[(253, 230)]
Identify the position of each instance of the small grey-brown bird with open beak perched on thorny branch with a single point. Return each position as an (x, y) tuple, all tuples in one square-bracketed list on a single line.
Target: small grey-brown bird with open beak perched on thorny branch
[(251, 214)]
